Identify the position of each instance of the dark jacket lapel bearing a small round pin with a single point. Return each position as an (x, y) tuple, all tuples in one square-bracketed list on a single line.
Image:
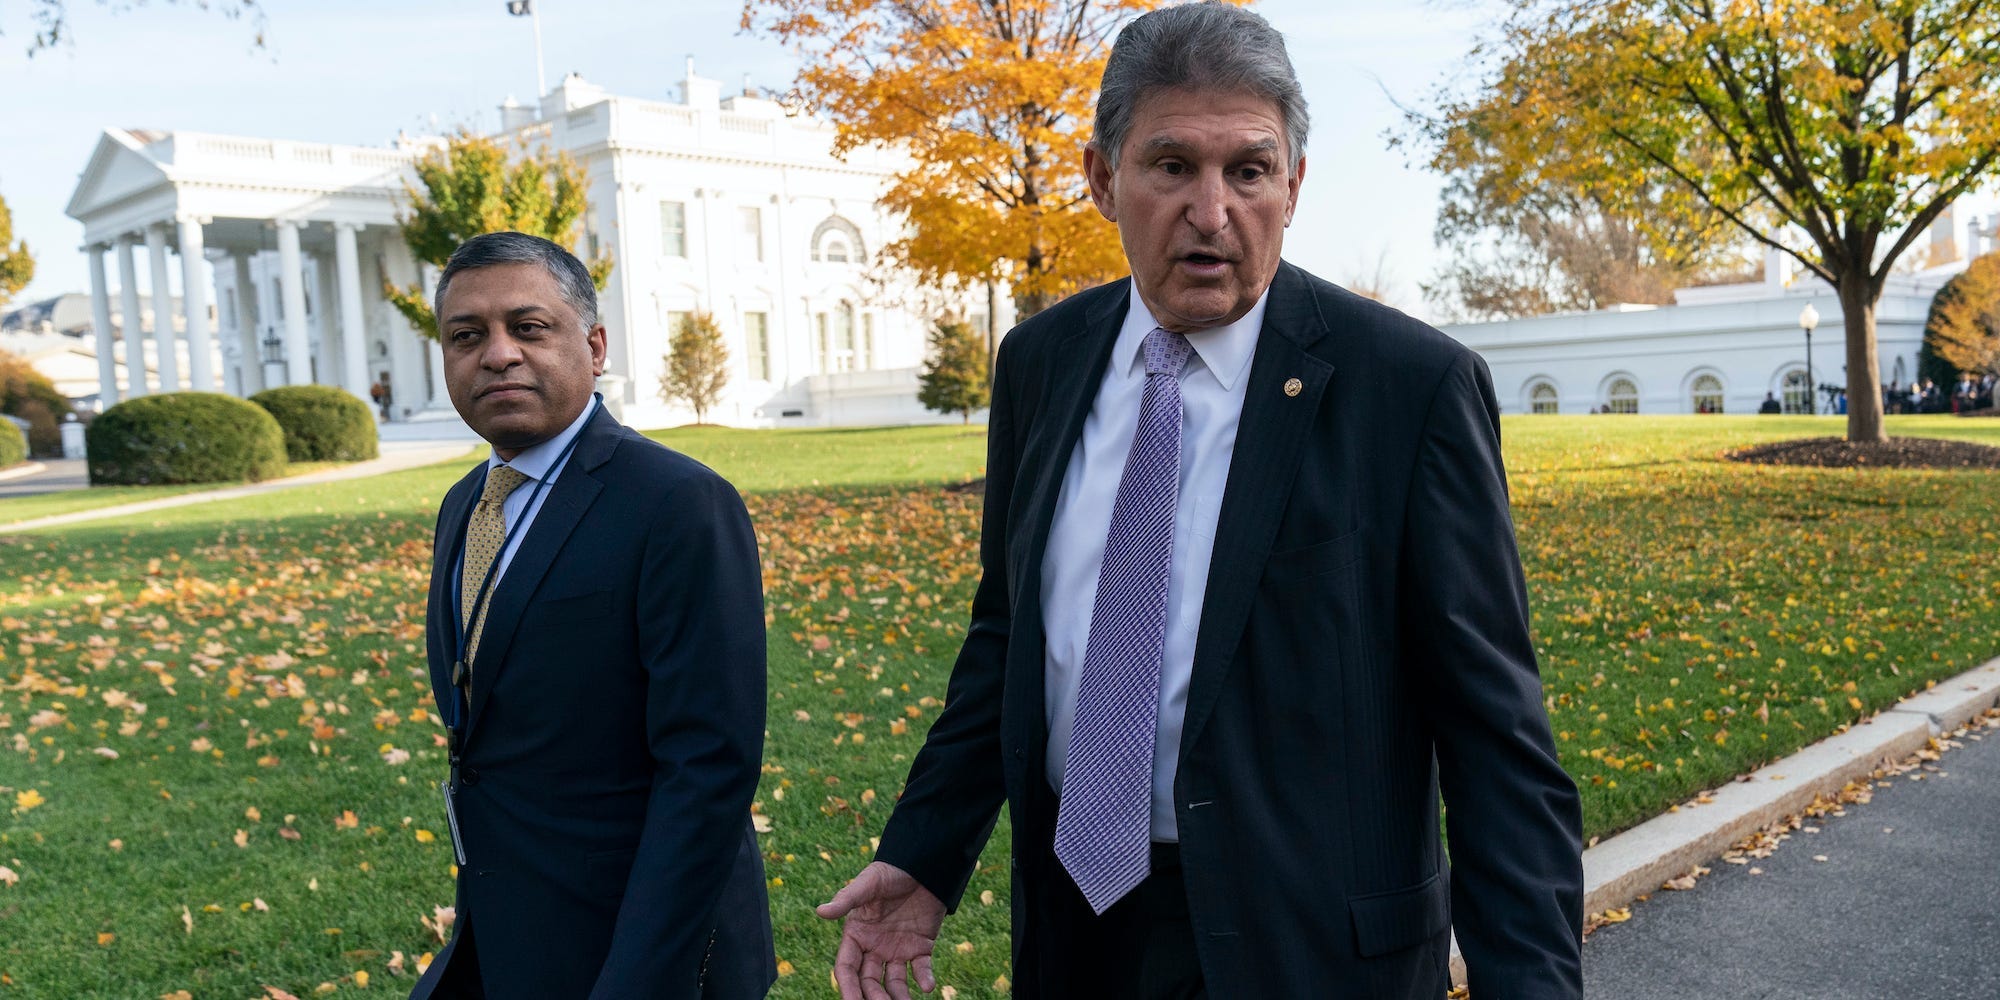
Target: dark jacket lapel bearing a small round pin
[(1271, 437)]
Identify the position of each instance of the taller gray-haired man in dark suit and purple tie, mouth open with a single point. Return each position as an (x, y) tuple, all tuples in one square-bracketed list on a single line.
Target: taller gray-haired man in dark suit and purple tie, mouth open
[(1249, 601)]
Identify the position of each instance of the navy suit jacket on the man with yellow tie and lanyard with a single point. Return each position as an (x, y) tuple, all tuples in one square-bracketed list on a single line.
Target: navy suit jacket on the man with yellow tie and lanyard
[(615, 737)]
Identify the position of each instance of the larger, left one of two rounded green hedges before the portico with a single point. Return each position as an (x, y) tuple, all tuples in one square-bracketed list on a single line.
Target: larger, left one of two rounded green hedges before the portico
[(185, 437)]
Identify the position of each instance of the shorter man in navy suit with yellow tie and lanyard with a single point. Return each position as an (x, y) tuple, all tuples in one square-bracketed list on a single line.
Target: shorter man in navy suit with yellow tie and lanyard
[(597, 651)]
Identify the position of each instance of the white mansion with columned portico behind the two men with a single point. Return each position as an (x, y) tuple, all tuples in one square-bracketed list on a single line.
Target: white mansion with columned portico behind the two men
[(719, 205)]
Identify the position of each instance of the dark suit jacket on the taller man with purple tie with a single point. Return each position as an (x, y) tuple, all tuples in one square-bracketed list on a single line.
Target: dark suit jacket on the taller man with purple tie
[(1365, 639)]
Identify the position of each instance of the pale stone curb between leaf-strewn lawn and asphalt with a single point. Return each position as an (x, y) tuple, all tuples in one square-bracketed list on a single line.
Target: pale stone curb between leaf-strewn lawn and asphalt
[(1665, 847)]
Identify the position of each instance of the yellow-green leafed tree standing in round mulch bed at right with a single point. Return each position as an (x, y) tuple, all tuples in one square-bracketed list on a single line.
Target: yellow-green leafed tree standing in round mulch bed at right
[(1833, 133)]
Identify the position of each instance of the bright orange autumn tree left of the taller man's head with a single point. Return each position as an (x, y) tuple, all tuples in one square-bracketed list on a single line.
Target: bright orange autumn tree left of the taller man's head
[(993, 105)]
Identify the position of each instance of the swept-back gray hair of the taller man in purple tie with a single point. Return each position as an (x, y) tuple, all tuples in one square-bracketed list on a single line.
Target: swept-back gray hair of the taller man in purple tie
[(1199, 47)]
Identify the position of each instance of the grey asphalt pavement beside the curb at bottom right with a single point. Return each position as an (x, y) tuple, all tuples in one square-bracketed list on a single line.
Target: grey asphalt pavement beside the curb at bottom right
[(1905, 905)]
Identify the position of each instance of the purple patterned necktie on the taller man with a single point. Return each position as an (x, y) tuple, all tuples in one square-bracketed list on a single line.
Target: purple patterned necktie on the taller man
[(1105, 821)]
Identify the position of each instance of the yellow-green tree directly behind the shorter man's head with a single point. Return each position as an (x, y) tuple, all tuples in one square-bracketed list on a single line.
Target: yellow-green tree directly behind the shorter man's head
[(475, 187)]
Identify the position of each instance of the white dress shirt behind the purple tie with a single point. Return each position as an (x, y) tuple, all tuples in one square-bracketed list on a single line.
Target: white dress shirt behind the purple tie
[(1213, 401)]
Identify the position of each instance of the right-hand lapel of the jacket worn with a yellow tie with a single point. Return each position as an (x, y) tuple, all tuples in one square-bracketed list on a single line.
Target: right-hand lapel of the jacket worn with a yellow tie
[(563, 509)]
